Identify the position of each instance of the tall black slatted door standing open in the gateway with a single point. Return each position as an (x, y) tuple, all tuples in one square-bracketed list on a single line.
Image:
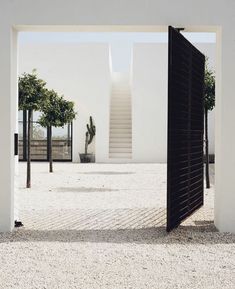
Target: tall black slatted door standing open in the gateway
[(185, 129)]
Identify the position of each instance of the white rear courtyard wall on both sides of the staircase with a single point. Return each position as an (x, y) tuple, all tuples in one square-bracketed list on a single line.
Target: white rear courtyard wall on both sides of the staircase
[(82, 73)]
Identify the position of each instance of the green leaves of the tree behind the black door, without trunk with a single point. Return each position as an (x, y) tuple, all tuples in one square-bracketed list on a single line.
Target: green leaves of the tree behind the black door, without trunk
[(209, 99)]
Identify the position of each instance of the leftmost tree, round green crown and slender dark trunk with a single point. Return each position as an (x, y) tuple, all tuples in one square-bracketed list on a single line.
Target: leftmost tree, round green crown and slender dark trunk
[(32, 94)]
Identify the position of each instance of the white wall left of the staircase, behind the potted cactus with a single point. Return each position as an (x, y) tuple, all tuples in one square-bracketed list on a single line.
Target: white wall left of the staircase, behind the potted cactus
[(81, 72)]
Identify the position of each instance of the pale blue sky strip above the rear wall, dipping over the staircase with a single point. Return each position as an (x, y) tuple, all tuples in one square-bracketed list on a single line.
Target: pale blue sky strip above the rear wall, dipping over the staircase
[(121, 43)]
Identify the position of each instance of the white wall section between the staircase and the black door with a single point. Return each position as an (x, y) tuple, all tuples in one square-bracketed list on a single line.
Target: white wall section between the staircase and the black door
[(149, 102)]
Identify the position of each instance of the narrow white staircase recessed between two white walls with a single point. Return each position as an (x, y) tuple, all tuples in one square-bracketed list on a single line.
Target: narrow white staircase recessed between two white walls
[(120, 134)]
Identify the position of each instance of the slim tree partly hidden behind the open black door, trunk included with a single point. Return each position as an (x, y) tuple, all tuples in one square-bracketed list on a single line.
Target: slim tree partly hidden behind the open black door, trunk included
[(209, 104)]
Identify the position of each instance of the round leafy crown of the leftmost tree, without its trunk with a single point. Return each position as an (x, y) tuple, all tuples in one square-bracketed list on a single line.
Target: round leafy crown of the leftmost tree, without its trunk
[(32, 91)]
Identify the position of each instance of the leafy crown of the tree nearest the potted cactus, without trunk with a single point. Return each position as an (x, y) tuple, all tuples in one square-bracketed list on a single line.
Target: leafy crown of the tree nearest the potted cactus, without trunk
[(56, 111)]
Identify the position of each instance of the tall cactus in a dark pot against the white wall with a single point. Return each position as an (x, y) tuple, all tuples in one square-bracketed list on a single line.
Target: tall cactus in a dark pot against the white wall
[(90, 133)]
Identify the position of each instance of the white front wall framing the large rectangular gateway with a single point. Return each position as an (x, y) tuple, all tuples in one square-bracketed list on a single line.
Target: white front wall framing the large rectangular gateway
[(133, 15)]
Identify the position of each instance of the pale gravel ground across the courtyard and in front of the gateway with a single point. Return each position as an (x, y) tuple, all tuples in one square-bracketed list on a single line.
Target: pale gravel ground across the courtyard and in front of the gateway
[(103, 226)]
